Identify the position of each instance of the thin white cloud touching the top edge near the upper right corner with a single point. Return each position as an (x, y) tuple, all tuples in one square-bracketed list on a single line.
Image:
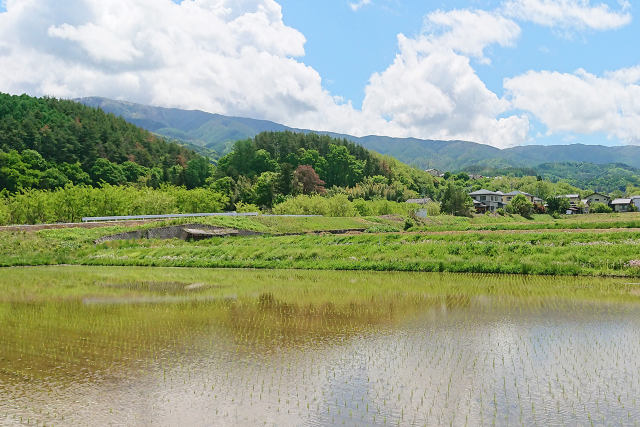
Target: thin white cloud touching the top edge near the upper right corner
[(569, 14)]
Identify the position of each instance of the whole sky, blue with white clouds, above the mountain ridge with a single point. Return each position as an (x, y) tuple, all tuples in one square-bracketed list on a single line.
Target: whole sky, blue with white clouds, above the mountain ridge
[(504, 73)]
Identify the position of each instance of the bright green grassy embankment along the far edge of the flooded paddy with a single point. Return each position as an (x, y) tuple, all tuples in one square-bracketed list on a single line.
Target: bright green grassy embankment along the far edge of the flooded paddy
[(607, 251)]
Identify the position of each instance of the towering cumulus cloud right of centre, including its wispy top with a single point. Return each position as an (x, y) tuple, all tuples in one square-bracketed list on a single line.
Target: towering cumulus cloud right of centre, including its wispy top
[(432, 89)]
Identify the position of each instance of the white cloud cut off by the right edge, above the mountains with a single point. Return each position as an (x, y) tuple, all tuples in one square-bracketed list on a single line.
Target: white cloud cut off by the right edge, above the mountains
[(581, 102)]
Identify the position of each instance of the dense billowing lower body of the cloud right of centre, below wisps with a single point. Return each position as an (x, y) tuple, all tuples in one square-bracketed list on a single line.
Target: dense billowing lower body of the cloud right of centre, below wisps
[(431, 90)]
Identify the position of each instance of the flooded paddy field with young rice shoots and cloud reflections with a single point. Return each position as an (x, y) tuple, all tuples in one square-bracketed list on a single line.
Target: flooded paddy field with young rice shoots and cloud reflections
[(156, 346)]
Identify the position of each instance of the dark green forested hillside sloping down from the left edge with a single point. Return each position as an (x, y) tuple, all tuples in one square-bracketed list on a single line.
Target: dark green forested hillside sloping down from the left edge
[(47, 143)]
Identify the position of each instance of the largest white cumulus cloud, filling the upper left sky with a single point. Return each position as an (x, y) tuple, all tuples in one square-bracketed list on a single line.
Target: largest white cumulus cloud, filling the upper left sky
[(226, 56)]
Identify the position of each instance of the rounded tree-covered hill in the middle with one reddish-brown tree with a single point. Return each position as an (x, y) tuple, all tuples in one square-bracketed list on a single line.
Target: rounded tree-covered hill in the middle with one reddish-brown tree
[(273, 165)]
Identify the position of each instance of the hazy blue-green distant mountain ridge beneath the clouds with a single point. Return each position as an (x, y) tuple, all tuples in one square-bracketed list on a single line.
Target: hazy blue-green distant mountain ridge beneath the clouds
[(217, 132)]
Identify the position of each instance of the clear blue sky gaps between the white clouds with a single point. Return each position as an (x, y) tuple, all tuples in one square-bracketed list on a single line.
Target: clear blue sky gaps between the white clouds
[(346, 46)]
